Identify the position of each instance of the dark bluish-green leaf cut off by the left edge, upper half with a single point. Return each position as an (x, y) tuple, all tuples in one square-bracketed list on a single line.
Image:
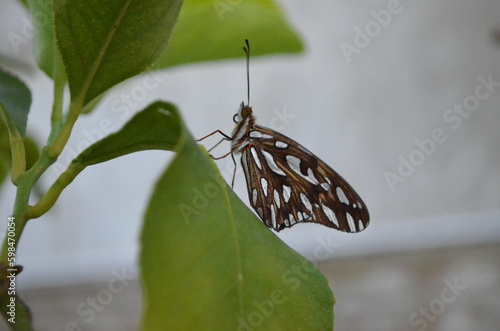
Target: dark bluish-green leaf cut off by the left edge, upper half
[(16, 99)]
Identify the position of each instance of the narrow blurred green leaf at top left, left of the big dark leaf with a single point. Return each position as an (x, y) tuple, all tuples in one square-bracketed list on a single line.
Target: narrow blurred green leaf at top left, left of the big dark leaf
[(43, 25)]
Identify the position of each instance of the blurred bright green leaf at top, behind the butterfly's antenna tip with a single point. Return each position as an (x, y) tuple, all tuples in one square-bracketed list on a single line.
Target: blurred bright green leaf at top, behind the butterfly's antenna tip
[(216, 29)]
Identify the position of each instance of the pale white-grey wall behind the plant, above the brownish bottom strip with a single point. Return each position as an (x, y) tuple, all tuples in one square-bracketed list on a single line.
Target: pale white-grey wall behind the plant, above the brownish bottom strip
[(361, 117)]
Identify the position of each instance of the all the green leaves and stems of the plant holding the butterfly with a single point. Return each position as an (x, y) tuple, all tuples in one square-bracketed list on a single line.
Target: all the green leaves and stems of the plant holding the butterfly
[(207, 262)]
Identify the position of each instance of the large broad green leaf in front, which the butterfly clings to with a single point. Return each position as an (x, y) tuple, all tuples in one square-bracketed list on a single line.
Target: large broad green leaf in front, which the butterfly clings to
[(209, 264)]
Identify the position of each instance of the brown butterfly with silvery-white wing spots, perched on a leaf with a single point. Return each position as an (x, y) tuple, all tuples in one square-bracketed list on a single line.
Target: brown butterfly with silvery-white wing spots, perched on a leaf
[(286, 183)]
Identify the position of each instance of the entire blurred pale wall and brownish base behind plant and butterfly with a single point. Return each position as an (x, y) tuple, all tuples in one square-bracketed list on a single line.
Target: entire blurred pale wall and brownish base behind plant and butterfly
[(402, 98)]
